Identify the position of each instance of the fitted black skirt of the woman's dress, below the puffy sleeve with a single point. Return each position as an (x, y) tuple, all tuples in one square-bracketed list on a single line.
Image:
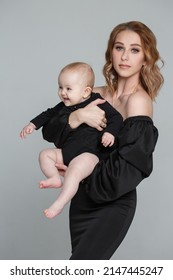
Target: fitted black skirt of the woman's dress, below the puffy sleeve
[(97, 230)]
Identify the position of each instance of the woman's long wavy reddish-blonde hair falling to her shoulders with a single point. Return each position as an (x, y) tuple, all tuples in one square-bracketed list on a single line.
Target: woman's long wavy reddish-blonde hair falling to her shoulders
[(150, 76)]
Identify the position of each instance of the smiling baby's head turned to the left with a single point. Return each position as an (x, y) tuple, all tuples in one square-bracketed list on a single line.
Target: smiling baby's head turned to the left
[(76, 81)]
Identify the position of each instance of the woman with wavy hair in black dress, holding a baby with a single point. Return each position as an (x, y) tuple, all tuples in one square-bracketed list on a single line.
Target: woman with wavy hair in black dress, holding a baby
[(103, 208)]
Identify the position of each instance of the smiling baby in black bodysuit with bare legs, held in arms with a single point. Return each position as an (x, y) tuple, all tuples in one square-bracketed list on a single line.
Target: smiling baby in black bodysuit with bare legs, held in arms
[(79, 148)]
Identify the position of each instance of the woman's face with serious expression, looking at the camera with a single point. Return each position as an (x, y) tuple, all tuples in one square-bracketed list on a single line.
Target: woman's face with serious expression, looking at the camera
[(127, 54)]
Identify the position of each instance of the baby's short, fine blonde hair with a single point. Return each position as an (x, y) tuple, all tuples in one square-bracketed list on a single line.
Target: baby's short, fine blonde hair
[(86, 71)]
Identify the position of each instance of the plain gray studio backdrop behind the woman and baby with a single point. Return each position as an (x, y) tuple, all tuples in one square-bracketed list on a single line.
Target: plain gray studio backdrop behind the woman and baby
[(38, 38)]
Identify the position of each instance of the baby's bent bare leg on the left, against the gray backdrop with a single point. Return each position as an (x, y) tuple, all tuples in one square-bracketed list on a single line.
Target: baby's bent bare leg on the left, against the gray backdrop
[(47, 160)]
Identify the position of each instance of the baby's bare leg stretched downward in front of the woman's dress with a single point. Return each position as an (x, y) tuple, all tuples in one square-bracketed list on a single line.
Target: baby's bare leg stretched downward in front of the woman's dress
[(78, 169)]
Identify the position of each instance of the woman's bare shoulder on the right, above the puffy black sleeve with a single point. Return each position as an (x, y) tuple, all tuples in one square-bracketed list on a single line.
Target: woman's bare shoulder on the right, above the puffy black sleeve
[(139, 103)]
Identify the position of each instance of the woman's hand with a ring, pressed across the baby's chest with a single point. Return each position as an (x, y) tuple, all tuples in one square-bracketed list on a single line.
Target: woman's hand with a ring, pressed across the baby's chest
[(92, 115)]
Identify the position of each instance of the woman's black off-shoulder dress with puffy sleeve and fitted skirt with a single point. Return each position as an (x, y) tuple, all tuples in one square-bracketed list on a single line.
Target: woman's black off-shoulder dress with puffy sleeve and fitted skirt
[(104, 206)]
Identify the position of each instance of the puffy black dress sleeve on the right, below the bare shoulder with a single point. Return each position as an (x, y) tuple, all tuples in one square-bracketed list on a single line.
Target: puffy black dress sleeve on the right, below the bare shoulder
[(128, 164)]
